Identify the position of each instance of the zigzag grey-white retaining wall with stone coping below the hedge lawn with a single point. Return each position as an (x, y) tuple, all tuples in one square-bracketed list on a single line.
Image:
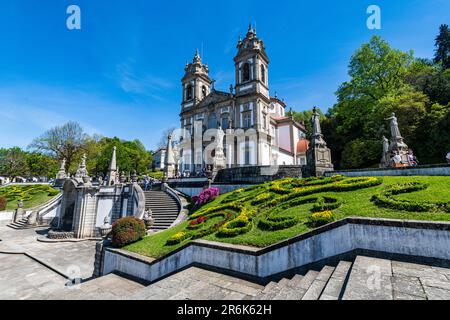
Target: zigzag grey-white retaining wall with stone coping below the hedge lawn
[(414, 238)]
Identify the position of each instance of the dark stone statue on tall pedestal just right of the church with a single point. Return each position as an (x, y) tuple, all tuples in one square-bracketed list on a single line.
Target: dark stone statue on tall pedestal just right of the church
[(318, 154)]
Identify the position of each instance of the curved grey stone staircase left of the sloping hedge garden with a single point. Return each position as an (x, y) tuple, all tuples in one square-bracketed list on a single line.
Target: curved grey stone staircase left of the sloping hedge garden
[(164, 207)]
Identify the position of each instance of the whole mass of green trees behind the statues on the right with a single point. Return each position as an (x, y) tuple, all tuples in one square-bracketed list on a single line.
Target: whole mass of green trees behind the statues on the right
[(385, 80)]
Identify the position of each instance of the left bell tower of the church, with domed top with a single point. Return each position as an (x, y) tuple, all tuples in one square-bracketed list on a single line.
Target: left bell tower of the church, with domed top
[(196, 83)]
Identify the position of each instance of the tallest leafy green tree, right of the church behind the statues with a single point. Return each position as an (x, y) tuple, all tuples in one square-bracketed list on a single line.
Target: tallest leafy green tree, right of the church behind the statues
[(376, 72)]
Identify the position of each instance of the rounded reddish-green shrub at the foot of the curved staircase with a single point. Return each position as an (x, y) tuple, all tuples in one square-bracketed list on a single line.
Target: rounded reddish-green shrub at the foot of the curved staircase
[(127, 230)]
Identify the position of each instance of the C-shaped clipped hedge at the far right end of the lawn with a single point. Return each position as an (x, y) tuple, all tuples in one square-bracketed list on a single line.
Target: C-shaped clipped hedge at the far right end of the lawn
[(386, 199)]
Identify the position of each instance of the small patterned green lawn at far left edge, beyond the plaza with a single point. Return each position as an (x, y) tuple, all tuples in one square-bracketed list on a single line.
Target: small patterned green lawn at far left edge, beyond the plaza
[(31, 195)]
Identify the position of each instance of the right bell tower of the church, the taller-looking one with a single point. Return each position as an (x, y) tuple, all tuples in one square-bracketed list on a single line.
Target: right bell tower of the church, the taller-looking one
[(251, 64)]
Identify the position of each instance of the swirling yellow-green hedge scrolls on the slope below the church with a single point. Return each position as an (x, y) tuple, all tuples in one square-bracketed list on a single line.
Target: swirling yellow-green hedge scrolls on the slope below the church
[(265, 207)]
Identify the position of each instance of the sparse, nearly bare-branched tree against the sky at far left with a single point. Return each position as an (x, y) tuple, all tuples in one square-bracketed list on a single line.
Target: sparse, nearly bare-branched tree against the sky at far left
[(63, 142)]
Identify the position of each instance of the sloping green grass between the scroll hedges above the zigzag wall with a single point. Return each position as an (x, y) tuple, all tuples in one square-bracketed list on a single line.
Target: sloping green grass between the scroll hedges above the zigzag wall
[(353, 203)]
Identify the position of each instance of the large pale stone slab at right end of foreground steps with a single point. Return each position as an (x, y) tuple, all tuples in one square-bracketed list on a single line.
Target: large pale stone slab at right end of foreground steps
[(370, 279)]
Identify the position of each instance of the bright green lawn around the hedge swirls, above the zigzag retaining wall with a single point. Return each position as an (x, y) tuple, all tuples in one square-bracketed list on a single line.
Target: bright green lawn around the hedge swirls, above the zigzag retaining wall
[(352, 203)]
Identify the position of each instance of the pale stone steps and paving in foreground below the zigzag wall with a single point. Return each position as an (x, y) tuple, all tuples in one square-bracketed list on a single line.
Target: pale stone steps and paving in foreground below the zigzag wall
[(365, 278)]
